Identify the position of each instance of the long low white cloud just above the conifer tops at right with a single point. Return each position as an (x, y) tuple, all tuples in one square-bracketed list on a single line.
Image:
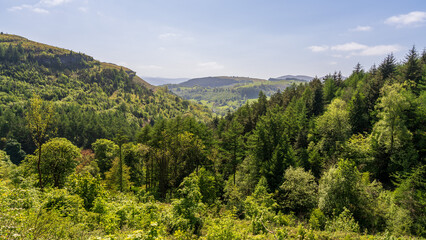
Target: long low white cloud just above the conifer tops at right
[(356, 49)]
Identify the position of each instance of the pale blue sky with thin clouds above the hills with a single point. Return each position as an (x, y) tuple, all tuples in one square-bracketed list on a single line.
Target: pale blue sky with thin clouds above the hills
[(247, 38)]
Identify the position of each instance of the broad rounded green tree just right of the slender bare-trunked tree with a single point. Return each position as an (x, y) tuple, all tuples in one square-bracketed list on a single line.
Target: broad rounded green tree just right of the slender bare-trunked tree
[(59, 161)]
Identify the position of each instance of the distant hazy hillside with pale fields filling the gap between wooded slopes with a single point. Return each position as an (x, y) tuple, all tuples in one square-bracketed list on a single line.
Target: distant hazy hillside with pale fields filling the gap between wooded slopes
[(223, 94)]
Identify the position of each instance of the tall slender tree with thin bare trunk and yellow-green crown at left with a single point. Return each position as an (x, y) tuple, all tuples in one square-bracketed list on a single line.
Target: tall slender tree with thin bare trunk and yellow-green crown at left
[(39, 117)]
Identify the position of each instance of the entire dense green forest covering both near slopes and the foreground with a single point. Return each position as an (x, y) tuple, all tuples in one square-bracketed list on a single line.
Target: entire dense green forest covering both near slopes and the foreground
[(91, 153)]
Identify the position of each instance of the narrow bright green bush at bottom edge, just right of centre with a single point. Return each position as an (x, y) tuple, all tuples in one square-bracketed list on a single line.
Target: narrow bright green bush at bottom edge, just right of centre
[(259, 207)]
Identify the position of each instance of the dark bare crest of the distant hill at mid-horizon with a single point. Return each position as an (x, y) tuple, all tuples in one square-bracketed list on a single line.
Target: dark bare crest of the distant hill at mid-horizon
[(220, 81)]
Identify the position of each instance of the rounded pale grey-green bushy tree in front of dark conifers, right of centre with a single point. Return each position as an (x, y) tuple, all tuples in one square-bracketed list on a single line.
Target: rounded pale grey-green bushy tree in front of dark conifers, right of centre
[(298, 193)]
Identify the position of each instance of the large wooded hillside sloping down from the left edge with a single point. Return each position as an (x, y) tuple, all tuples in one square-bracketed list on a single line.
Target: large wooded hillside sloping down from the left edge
[(89, 96)]
